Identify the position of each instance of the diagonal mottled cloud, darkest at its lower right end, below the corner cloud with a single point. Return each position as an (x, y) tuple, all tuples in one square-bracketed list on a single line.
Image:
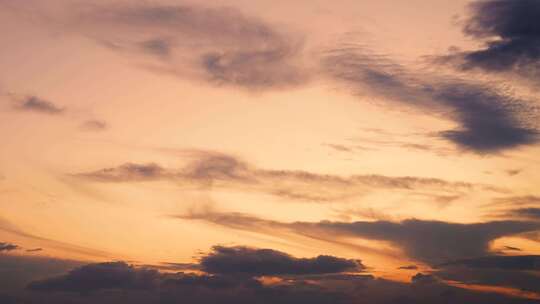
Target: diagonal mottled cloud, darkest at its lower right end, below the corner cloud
[(489, 120)]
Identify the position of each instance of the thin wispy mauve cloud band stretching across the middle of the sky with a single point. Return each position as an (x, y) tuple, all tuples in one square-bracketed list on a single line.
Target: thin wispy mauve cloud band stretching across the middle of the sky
[(212, 170)]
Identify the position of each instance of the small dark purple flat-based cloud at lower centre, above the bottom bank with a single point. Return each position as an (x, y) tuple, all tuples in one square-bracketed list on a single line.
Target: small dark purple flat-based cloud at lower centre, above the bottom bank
[(260, 262)]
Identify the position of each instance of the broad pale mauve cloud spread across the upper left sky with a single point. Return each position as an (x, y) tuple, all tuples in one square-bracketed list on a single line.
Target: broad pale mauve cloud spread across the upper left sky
[(220, 45)]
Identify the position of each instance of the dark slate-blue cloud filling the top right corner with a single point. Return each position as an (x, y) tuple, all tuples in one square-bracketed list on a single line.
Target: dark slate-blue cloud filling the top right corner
[(511, 30)]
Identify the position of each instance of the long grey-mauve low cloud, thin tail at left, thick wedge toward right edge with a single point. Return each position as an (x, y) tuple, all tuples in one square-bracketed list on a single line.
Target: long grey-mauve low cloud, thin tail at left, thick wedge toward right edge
[(431, 242)]
